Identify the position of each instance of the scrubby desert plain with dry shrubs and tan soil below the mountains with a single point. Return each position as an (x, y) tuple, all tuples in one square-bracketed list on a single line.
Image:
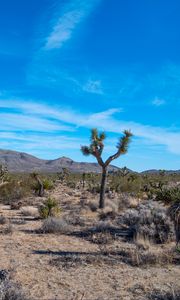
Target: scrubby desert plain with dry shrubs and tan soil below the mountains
[(62, 246)]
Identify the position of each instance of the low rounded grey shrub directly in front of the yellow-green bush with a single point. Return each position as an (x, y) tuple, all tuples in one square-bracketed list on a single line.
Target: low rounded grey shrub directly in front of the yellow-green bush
[(55, 225)]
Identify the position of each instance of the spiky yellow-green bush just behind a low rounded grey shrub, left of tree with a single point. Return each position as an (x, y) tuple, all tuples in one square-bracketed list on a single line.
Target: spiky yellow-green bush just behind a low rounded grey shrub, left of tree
[(49, 208)]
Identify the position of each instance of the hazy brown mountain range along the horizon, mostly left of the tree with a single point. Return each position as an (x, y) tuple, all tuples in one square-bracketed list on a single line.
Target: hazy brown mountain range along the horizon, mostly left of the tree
[(23, 162)]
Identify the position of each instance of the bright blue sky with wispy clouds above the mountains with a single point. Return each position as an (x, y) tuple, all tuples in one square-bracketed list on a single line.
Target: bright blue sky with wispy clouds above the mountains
[(67, 66)]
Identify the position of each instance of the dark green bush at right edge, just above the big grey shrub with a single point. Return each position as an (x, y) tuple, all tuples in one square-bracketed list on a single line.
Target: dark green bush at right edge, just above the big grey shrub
[(168, 196)]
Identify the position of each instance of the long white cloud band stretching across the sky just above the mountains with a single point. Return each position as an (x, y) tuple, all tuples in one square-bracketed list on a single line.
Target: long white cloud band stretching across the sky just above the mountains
[(106, 120)]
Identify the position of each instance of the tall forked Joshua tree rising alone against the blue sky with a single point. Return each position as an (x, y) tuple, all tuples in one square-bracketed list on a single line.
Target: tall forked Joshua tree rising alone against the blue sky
[(96, 148)]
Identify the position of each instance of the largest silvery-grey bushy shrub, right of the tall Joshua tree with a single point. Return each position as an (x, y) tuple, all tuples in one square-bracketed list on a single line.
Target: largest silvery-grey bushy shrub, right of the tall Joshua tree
[(149, 220)]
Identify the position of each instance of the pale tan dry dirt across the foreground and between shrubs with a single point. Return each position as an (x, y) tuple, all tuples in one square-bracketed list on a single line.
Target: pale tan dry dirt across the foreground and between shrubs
[(29, 255)]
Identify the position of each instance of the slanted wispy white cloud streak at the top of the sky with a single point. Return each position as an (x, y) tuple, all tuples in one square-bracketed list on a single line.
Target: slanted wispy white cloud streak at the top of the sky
[(74, 12)]
